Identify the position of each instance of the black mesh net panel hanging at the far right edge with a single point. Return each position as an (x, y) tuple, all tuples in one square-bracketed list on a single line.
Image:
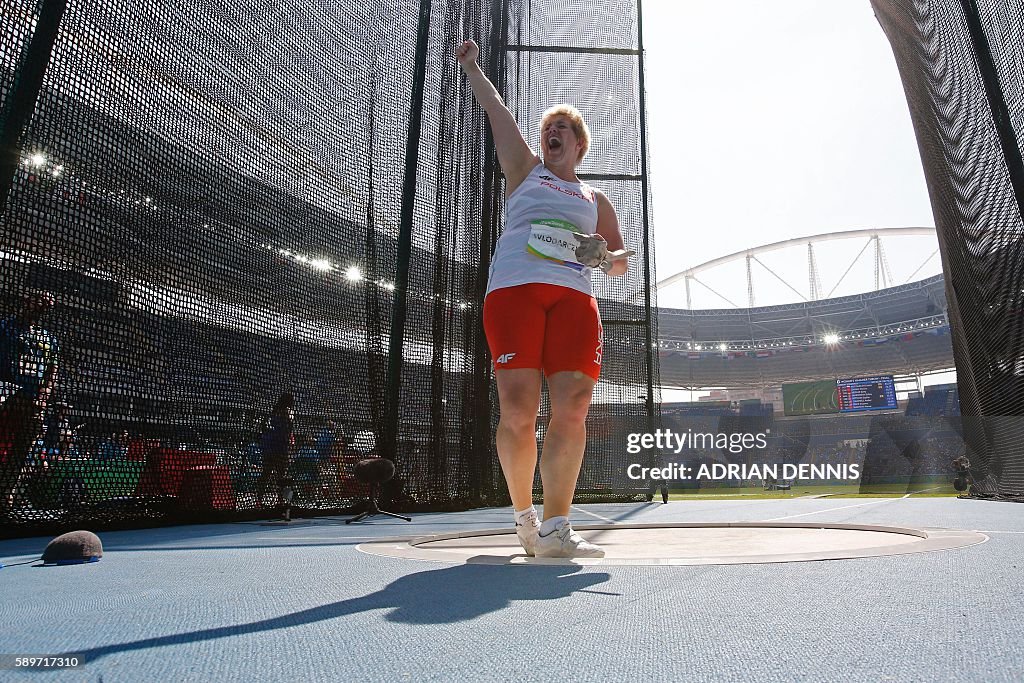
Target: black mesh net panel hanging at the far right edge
[(963, 69)]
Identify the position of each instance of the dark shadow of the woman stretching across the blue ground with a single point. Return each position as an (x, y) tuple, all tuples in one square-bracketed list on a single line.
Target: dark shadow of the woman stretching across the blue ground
[(437, 596)]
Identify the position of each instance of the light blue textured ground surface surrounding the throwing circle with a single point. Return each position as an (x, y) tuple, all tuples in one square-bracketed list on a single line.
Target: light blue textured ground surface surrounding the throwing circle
[(244, 602)]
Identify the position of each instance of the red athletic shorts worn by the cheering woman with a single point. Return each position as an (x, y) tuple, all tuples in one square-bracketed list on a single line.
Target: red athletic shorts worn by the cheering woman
[(553, 329)]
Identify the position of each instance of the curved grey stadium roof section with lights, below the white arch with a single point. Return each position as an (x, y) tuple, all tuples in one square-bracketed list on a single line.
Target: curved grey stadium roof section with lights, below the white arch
[(901, 330)]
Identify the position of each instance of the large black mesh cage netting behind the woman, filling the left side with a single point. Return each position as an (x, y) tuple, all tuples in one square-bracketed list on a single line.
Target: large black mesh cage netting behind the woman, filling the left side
[(211, 205)]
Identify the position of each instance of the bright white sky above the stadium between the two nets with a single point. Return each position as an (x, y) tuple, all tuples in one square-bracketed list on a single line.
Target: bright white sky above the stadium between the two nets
[(776, 120)]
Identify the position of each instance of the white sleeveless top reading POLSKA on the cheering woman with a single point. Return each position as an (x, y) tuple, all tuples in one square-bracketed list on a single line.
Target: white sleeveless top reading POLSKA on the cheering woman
[(539, 211)]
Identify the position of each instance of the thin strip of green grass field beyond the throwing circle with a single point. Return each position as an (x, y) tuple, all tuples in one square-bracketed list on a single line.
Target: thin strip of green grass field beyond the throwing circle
[(932, 490)]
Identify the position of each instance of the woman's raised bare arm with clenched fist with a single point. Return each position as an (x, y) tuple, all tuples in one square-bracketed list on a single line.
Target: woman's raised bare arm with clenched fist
[(515, 155)]
